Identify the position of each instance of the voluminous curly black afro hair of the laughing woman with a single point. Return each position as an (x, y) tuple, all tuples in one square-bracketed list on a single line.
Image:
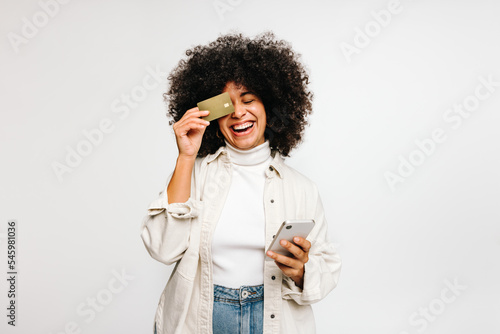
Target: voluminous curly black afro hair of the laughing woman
[(264, 65)]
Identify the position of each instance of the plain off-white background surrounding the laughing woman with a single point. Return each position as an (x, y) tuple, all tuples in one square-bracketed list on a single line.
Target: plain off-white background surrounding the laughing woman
[(399, 246)]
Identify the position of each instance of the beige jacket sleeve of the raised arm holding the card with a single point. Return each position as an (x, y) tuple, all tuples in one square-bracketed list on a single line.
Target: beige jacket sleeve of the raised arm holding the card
[(166, 228)]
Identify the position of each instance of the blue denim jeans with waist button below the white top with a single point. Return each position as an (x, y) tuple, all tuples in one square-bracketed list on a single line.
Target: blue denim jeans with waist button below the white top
[(238, 311)]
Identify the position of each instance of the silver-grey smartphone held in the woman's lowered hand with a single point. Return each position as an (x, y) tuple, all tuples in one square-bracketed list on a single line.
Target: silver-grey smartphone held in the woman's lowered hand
[(288, 230)]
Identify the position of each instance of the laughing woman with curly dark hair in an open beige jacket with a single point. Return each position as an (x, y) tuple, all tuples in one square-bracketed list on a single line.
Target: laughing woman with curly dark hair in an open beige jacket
[(229, 193)]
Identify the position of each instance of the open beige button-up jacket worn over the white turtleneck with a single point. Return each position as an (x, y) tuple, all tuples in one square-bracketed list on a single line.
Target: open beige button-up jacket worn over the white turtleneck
[(181, 234)]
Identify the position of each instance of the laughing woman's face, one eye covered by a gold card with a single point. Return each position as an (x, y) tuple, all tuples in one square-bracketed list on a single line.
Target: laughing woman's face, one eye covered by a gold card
[(245, 128)]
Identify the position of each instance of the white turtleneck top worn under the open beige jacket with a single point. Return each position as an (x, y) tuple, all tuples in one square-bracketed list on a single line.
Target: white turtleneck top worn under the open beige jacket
[(238, 242)]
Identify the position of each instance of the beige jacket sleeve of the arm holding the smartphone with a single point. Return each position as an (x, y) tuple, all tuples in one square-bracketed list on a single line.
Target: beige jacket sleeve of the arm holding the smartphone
[(322, 271)]
